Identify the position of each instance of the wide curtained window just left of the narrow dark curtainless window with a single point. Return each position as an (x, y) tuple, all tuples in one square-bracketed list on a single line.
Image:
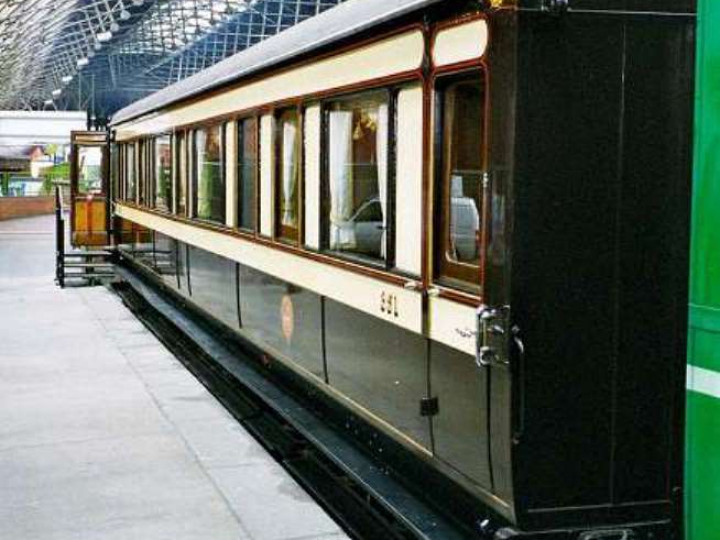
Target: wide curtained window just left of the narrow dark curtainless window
[(209, 191)]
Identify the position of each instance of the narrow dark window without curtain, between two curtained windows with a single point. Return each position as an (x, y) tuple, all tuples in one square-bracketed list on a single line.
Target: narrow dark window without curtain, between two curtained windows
[(247, 145)]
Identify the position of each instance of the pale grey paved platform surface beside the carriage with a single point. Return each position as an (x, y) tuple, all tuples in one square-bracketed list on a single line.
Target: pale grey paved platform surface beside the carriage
[(105, 435)]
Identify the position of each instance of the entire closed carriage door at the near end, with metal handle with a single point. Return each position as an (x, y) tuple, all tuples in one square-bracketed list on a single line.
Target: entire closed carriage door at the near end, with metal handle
[(468, 333)]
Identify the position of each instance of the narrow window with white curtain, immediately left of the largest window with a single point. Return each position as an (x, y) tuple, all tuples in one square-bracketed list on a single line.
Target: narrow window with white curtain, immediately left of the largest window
[(288, 172)]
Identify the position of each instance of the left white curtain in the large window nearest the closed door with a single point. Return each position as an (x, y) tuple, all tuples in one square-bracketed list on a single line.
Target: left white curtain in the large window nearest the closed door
[(342, 233)]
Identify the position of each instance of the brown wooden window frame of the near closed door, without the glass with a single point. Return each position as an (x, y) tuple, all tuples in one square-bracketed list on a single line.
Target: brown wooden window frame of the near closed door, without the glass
[(446, 271)]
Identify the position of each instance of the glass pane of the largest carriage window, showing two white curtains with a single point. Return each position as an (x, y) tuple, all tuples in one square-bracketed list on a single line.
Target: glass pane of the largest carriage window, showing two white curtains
[(358, 175)]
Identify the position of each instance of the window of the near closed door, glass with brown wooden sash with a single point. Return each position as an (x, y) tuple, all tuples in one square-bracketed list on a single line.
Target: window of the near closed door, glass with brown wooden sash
[(461, 110)]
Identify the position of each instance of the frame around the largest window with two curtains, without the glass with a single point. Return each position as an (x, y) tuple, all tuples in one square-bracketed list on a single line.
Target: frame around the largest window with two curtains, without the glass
[(388, 262)]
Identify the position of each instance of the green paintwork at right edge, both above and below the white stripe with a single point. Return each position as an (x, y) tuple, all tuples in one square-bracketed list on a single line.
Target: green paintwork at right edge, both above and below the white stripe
[(703, 413)]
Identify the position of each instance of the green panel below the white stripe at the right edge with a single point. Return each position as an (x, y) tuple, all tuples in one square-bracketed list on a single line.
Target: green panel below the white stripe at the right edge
[(703, 469)]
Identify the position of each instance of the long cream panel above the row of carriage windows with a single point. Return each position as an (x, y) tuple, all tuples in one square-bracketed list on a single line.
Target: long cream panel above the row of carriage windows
[(398, 54)]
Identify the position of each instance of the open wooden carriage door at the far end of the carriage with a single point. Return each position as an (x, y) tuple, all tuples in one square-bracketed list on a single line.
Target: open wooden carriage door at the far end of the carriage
[(89, 185)]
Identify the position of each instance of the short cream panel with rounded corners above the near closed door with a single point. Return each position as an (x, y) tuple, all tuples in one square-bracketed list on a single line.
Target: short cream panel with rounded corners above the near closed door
[(460, 43)]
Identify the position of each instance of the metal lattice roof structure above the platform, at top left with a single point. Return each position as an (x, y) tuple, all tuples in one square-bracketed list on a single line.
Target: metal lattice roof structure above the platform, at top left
[(121, 50)]
